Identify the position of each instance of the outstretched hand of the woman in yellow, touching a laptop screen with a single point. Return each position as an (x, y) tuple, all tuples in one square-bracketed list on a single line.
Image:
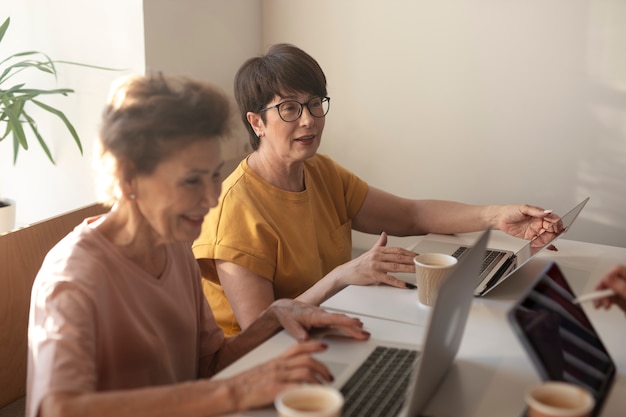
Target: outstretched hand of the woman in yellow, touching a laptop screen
[(530, 223)]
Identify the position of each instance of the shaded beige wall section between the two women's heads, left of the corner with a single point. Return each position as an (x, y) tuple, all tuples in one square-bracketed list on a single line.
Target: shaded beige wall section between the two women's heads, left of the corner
[(215, 38)]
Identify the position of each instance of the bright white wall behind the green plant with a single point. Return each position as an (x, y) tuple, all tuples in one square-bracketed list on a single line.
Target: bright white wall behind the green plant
[(101, 33)]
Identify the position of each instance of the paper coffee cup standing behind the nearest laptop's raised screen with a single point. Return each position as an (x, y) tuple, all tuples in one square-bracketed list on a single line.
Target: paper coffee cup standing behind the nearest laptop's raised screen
[(430, 271)]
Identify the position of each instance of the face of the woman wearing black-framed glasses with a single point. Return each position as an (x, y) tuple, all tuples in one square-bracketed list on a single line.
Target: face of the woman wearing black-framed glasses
[(288, 142)]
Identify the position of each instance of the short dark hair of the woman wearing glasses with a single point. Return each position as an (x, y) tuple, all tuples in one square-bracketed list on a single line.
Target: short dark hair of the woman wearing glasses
[(285, 68)]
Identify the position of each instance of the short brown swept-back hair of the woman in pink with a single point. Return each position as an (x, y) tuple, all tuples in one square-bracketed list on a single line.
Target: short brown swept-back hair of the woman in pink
[(147, 117)]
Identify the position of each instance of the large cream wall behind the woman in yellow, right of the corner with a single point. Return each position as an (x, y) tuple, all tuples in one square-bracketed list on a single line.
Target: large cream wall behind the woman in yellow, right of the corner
[(480, 101)]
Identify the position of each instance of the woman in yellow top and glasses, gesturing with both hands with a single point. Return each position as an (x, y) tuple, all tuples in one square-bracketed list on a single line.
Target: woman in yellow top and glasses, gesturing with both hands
[(283, 224)]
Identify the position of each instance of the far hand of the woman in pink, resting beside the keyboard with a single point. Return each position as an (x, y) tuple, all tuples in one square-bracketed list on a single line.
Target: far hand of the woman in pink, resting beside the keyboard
[(298, 318)]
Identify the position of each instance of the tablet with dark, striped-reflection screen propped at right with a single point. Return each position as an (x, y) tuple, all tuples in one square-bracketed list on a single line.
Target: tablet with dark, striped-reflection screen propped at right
[(559, 338)]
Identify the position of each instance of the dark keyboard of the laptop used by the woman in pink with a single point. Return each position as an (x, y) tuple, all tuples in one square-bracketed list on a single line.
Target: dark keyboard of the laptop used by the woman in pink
[(378, 387)]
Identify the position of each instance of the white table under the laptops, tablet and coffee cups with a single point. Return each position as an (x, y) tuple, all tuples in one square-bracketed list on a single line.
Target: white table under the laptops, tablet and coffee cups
[(491, 371)]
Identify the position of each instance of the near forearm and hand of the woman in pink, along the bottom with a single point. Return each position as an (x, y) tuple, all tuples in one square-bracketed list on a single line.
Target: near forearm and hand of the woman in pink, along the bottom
[(253, 388)]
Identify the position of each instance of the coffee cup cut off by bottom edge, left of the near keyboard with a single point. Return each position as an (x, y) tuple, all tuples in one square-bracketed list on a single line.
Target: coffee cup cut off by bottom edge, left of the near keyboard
[(309, 401)]
